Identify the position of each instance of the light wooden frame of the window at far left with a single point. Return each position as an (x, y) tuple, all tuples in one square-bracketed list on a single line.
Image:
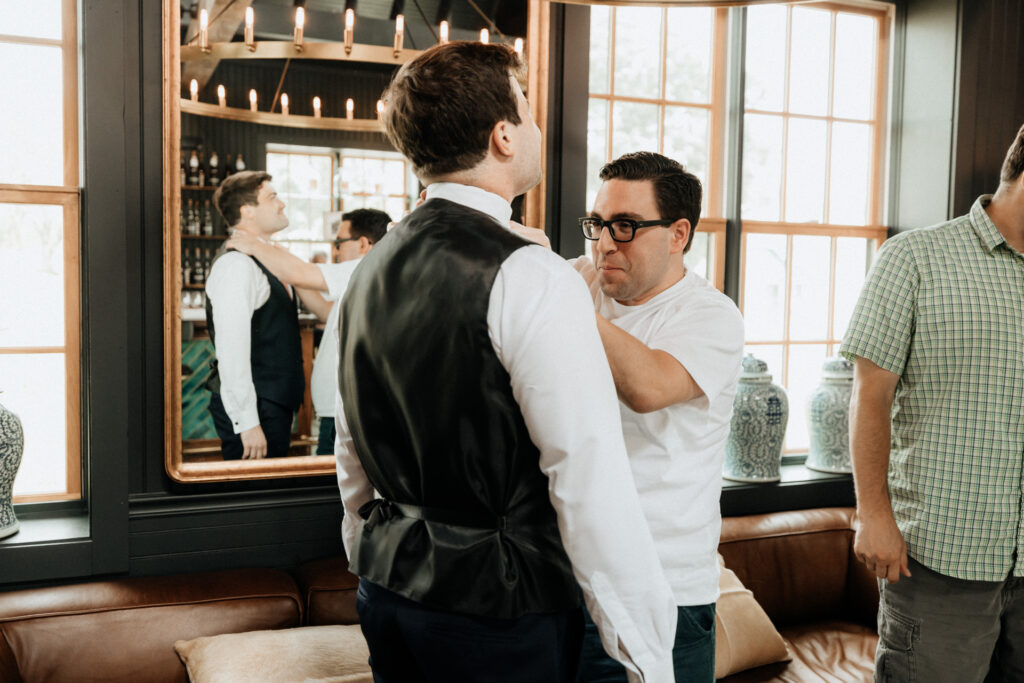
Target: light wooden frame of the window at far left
[(66, 196)]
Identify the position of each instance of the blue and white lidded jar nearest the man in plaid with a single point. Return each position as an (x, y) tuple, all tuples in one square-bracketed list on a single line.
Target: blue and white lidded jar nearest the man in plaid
[(829, 418)]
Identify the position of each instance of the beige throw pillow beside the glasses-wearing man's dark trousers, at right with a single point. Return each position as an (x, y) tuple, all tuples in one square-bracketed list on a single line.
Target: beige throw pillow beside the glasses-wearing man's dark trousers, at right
[(745, 636)]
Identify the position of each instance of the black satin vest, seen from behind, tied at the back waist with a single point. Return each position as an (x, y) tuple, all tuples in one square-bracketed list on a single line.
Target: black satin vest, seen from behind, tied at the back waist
[(466, 525)]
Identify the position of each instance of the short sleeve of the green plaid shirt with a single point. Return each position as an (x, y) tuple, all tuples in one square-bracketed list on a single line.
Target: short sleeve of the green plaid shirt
[(883, 322)]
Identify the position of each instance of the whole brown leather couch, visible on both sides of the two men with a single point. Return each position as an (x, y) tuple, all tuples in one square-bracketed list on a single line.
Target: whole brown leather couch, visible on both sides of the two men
[(798, 565)]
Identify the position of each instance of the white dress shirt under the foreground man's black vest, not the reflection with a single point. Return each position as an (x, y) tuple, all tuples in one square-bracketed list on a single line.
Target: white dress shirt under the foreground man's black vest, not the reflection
[(543, 329)]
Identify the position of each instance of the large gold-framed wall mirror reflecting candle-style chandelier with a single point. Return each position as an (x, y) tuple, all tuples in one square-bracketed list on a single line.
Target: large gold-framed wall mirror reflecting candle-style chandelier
[(200, 117)]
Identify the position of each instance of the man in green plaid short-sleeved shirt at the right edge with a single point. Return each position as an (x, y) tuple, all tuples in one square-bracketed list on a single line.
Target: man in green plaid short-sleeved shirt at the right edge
[(937, 438)]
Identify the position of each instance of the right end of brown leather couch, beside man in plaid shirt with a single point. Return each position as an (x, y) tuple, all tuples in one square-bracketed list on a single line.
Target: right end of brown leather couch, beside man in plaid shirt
[(801, 569)]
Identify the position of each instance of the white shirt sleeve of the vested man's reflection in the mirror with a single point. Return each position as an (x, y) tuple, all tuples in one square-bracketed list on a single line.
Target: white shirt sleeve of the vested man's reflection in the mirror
[(237, 288)]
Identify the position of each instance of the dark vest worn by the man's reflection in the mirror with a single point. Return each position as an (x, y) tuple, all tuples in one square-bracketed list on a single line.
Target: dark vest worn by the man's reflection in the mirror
[(276, 348)]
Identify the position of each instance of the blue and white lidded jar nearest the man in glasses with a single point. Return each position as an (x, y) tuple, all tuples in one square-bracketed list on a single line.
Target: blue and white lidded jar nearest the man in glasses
[(760, 413)]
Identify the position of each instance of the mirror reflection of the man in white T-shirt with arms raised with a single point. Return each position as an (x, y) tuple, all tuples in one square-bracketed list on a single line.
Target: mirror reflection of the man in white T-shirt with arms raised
[(358, 233)]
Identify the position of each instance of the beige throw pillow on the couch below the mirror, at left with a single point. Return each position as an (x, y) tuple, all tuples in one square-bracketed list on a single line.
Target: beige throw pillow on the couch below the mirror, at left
[(316, 654)]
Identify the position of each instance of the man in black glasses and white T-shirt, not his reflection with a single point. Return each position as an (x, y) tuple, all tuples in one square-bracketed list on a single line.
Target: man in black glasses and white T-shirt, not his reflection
[(675, 345)]
